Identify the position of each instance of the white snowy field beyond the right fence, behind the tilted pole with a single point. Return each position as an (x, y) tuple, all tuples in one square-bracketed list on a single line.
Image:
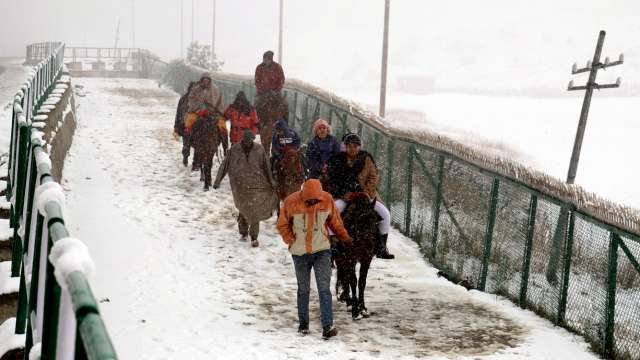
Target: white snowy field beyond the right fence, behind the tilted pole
[(538, 132)]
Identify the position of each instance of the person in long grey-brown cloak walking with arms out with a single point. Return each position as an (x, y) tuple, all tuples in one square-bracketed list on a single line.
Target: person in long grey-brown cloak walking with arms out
[(252, 185)]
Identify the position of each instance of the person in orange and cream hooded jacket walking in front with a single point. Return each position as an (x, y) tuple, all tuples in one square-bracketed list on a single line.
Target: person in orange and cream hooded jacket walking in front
[(303, 223)]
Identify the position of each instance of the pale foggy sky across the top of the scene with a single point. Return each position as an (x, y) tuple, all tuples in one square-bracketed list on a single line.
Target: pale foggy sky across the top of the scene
[(490, 44)]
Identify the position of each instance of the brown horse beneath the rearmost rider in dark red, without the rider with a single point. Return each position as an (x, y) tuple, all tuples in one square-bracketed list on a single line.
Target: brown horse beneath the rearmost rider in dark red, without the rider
[(270, 107)]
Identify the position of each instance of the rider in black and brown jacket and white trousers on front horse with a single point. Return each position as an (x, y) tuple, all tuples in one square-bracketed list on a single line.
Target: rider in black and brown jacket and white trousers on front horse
[(355, 171)]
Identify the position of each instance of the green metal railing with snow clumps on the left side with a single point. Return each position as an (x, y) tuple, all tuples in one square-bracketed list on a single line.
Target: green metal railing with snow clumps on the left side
[(61, 318)]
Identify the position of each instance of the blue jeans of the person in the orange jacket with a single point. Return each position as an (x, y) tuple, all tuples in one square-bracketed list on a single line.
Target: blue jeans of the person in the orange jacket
[(321, 264)]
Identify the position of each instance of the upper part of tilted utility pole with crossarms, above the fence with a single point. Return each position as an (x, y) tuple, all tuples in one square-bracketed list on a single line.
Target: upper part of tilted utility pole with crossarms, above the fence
[(592, 67)]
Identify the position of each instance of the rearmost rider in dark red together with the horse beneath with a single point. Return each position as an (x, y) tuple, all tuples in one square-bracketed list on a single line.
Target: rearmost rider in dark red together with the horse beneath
[(269, 102)]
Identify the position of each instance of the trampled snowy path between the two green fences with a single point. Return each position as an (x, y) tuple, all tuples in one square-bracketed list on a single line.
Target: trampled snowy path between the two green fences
[(175, 283)]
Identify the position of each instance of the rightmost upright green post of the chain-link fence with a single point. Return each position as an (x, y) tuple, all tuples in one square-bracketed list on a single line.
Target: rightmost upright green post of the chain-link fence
[(611, 295)]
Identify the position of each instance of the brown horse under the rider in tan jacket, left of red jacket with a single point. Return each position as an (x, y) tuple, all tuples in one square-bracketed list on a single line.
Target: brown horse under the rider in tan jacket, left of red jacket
[(205, 139)]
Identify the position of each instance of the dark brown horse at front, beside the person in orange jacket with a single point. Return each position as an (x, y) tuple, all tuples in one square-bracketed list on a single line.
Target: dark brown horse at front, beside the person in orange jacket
[(361, 221)]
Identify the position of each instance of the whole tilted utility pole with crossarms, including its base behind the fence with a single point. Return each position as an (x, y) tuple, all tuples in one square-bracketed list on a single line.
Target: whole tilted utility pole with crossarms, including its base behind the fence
[(563, 219)]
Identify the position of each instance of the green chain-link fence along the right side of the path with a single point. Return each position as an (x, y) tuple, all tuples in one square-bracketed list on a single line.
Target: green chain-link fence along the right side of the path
[(500, 233)]
